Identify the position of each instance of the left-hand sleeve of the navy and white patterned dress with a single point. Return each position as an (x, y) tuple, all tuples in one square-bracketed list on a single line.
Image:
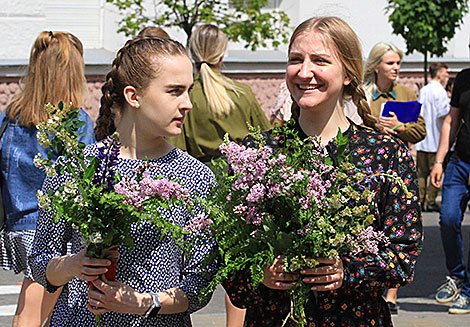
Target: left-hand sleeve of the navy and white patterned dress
[(50, 239)]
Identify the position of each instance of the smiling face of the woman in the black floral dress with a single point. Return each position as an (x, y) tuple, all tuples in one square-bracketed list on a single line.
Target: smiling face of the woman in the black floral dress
[(315, 75)]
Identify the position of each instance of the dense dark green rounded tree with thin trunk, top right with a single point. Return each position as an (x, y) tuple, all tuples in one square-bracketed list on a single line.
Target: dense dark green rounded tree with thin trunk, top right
[(426, 25)]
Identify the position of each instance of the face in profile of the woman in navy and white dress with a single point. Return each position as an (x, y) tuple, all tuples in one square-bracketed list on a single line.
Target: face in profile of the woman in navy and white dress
[(165, 102)]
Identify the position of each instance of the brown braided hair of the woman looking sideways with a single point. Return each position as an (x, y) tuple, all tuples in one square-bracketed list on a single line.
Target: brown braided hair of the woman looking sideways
[(136, 64)]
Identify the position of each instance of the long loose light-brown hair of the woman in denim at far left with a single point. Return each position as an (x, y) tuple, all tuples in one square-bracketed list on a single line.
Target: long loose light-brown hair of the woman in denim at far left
[(56, 72)]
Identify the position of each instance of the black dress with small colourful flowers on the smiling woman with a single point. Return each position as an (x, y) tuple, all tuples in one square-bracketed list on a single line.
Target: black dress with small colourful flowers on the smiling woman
[(358, 302)]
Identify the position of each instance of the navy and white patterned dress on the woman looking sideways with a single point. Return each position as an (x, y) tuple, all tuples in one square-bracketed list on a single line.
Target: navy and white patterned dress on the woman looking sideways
[(153, 265)]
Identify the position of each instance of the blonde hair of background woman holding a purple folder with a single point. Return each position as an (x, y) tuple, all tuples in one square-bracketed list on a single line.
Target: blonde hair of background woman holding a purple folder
[(376, 55)]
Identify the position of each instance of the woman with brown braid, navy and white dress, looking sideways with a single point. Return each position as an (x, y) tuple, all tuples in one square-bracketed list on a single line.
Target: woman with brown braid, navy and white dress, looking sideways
[(145, 99)]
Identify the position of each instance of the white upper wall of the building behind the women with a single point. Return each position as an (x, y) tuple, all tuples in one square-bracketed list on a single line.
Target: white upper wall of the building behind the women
[(95, 23)]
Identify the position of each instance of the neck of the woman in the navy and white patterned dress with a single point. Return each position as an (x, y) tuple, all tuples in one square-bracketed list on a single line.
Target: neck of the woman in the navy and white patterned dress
[(135, 145)]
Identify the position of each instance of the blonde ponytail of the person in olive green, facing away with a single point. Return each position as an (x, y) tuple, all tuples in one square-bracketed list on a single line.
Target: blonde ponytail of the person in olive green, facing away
[(207, 46)]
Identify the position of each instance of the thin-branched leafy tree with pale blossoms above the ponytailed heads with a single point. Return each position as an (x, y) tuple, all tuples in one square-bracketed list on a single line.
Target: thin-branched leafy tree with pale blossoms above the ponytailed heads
[(239, 19)]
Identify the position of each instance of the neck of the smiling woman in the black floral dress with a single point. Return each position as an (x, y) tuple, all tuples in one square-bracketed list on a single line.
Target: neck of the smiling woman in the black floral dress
[(323, 124)]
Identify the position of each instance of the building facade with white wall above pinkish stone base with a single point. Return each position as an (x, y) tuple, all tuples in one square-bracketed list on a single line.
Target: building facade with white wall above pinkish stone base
[(95, 22)]
